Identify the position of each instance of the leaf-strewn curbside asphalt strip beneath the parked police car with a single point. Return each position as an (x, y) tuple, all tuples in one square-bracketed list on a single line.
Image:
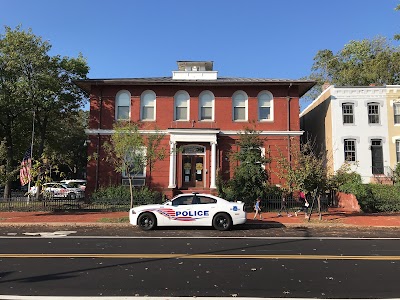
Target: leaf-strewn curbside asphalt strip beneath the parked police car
[(246, 230)]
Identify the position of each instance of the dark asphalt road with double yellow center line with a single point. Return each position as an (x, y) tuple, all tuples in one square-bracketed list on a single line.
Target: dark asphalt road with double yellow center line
[(81, 261)]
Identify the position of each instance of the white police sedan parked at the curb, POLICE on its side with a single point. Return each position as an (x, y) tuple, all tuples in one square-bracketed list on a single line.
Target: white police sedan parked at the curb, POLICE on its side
[(189, 210)]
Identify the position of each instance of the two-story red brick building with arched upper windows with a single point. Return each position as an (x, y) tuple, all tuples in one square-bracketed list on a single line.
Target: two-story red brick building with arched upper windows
[(200, 113)]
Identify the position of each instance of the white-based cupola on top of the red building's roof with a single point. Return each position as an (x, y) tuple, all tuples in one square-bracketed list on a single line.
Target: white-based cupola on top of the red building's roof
[(195, 70)]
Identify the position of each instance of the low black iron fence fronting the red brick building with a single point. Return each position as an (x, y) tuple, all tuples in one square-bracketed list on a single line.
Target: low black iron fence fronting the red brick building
[(23, 203)]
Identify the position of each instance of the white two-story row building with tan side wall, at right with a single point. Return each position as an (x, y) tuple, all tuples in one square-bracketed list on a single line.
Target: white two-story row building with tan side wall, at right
[(357, 125)]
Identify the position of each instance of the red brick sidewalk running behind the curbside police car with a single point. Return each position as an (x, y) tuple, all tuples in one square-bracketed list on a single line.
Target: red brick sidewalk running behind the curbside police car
[(334, 217)]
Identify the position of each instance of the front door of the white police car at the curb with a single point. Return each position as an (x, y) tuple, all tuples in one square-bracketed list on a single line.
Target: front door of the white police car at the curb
[(182, 205)]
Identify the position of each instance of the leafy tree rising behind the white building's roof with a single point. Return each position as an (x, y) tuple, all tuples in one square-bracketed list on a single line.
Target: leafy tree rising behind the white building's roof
[(359, 63)]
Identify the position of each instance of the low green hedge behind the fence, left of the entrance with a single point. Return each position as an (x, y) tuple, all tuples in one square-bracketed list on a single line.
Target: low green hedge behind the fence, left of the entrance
[(121, 195)]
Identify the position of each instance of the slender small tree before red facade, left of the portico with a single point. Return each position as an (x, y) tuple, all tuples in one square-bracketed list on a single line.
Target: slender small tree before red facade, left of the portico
[(130, 151)]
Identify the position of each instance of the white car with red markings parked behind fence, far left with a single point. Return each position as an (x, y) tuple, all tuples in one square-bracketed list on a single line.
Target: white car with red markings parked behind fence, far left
[(59, 190)]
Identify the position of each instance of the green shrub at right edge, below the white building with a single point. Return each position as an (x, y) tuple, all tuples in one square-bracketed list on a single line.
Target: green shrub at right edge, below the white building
[(378, 197)]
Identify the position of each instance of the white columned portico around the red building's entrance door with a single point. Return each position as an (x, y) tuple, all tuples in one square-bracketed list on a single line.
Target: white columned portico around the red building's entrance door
[(192, 136)]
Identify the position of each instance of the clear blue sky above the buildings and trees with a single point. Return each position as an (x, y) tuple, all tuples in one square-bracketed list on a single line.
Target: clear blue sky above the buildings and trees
[(252, 38)]
